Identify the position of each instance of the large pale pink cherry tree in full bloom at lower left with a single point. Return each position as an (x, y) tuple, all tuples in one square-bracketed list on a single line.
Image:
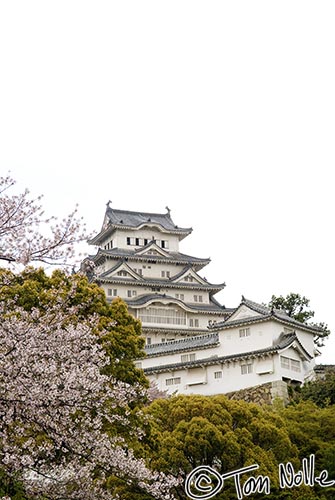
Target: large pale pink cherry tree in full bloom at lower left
[(56, 407)]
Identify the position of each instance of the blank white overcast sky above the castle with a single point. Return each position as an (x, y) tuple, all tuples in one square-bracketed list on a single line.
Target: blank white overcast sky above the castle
[(222, 110)]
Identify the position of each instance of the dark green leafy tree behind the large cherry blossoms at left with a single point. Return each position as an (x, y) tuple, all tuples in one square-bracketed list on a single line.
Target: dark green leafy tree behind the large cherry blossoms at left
[(122, 340)]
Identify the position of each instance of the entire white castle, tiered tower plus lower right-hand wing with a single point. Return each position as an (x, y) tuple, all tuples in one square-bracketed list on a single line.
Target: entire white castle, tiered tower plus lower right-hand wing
[(194, 345)]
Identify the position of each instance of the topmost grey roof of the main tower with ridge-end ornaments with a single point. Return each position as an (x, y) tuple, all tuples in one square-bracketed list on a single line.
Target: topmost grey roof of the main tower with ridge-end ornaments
[(127, 220)]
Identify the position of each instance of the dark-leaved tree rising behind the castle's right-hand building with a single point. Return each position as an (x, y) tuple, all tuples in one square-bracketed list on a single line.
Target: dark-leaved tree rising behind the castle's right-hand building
[(297, 307)]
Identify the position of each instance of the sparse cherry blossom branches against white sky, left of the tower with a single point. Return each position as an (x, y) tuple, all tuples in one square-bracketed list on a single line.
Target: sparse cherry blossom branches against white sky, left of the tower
[(27, 235)]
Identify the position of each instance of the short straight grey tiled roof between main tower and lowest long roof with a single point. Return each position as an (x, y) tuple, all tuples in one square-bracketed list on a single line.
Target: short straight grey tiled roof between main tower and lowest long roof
[(182, 345)]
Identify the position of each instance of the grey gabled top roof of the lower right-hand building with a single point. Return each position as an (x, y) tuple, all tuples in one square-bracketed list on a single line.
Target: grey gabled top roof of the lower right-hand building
[(252, 312)]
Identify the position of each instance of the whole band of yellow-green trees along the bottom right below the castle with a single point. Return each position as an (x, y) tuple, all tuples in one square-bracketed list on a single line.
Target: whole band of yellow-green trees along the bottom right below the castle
[(185, 432)]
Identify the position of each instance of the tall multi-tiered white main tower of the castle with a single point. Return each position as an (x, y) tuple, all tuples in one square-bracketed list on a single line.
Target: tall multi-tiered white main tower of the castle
[(138, 259)]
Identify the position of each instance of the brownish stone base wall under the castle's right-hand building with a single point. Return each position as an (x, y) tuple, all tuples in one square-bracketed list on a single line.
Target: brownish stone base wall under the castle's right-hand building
[(263, 394)]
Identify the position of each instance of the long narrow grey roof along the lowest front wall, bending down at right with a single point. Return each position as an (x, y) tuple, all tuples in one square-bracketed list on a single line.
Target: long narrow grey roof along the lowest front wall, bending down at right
[(284, 343)]
